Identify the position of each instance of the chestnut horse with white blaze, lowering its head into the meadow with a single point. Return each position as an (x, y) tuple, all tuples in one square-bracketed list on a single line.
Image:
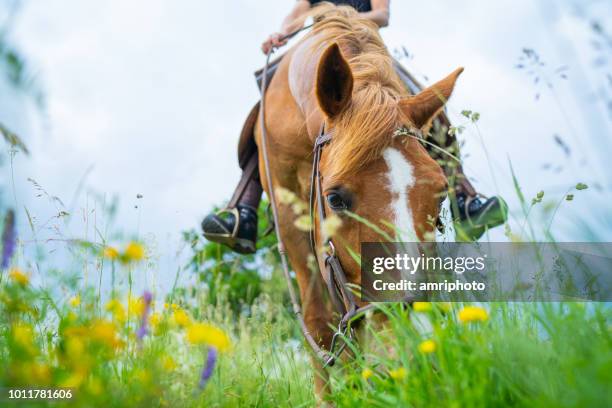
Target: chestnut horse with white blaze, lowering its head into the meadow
[(340, 75)]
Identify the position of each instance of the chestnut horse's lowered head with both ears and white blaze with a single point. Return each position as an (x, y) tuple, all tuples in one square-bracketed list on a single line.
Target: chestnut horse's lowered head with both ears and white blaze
[(382, 184)]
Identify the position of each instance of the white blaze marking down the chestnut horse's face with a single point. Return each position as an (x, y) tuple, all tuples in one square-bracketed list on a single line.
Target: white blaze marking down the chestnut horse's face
[(401, 180)]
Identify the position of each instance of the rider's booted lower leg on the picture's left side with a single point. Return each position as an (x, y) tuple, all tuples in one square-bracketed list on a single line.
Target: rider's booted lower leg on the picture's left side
[(236, 225)]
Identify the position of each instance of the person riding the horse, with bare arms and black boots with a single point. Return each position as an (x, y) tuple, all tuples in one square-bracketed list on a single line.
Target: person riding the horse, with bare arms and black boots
[(237, 227)]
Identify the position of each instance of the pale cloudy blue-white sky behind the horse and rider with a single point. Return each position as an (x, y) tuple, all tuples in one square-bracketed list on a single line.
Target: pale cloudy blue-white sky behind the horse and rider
[(147, 98)]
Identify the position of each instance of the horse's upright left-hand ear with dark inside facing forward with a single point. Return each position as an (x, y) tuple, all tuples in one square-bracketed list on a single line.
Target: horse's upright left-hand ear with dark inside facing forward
[(334, 84)]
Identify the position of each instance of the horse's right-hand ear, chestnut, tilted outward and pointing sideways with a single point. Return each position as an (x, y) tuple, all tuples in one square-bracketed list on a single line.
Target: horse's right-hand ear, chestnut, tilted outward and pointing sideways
[(423, 107)]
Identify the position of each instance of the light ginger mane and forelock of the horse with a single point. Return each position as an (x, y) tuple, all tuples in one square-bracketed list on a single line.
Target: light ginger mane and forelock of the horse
[(366, 127)]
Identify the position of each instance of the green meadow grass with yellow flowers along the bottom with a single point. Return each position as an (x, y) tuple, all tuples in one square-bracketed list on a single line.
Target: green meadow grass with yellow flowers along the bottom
[(547, 354)]
